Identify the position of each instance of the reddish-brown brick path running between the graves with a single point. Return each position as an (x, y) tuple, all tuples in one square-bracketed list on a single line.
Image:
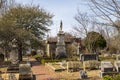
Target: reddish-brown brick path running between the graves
[(42, 72)]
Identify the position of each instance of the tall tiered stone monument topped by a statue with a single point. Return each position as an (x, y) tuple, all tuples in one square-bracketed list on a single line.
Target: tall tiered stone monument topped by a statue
[(60, 50)]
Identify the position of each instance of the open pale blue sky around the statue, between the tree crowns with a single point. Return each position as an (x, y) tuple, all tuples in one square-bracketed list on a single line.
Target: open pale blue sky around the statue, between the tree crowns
[(64, 10)]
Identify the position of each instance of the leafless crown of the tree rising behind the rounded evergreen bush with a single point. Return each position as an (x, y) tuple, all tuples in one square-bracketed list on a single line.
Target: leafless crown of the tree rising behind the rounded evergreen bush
[(83, 24)]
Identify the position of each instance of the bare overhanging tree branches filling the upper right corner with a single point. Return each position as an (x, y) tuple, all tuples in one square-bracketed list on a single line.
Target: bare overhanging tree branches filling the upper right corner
[(107, 10)]
